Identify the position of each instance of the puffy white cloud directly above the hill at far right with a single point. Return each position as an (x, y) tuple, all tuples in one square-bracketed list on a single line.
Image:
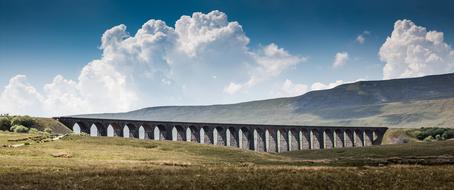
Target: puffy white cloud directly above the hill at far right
[(412, 51)]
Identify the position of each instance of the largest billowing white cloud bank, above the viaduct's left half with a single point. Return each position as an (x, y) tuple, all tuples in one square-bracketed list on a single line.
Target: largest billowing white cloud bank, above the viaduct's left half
[(158, 65)]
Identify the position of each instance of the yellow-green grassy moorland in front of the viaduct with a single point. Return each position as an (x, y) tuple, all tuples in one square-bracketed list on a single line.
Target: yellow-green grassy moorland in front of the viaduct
[(77, 162)]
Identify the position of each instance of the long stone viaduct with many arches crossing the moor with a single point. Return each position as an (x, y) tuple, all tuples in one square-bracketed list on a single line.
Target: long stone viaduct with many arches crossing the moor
[(263, 138)]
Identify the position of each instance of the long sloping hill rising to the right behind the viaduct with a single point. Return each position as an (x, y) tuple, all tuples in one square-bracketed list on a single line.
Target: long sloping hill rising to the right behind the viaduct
[(412, 102)]
